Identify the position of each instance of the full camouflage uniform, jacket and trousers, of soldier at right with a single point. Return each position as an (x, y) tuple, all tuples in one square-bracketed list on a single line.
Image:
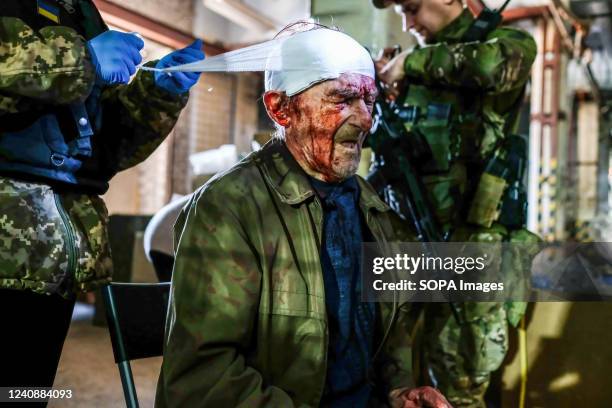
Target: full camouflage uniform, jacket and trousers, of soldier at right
[(464, 97)]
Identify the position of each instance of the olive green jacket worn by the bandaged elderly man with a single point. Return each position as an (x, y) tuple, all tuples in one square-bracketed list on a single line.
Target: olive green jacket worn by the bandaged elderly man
[(247, 323)]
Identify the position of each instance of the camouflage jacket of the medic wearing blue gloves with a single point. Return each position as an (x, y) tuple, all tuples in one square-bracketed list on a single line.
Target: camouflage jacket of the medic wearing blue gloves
[(54, 239)]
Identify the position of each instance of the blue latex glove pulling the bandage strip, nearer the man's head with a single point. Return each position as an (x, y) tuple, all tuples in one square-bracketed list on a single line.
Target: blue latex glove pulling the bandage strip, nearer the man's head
[(179, 82)]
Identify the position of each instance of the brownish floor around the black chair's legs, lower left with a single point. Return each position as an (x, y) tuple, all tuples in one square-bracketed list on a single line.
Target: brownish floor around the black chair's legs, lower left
[(87, 367)]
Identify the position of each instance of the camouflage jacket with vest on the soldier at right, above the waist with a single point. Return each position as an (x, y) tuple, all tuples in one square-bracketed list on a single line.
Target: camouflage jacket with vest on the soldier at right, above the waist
[(467, 95)]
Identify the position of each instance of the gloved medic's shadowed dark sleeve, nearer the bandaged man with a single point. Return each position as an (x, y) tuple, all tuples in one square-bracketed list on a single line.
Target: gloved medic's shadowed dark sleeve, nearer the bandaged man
[(137, 118)]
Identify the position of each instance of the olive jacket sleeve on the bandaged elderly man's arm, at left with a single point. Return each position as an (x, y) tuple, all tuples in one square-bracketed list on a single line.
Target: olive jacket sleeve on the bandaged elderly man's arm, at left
[(213, 312)]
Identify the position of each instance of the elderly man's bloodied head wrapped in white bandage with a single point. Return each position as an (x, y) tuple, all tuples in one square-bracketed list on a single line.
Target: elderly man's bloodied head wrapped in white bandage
[(320, 91)]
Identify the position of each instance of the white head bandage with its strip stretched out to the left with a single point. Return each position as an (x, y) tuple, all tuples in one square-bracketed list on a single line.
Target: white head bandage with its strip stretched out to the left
[(293, 63)]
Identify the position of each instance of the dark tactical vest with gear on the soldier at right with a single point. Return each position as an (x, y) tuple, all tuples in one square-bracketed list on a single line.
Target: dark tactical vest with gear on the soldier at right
[(461, 134)]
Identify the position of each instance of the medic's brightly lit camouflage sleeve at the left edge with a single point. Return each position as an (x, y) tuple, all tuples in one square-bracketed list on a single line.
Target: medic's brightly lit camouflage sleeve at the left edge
[(52, 66)]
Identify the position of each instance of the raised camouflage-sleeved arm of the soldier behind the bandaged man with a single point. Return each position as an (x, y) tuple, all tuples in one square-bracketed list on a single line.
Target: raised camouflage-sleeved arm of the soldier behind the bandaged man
[(500, 64)]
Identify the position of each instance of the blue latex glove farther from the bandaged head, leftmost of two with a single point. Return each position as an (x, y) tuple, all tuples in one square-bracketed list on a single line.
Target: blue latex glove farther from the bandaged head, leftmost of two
[(115, 56)]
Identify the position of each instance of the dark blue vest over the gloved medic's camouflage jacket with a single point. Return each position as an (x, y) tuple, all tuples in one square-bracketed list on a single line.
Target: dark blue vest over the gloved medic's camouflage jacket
[(50, 142)]
